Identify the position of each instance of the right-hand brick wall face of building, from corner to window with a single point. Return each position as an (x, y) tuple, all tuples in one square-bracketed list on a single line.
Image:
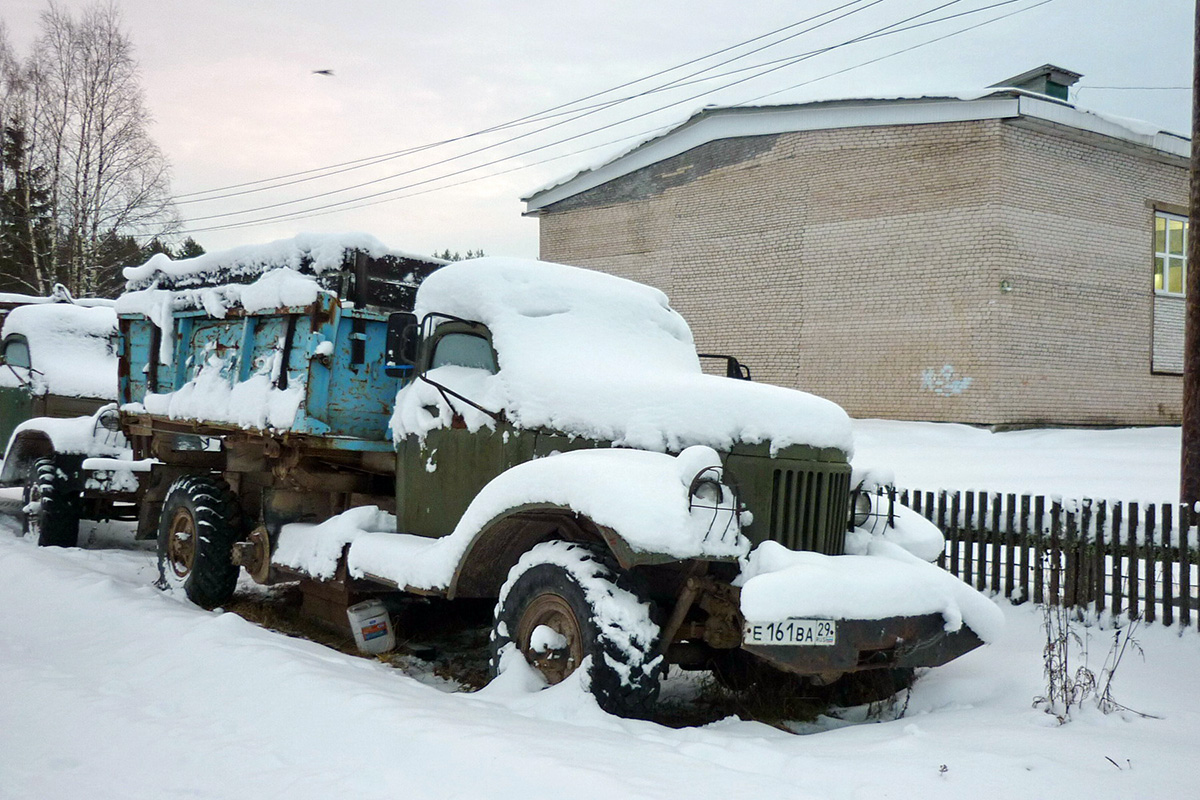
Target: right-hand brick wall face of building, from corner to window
[(1076, 335)]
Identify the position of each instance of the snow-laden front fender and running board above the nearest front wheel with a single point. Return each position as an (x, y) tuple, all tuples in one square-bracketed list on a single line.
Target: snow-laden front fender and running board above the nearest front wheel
[(644, 506)]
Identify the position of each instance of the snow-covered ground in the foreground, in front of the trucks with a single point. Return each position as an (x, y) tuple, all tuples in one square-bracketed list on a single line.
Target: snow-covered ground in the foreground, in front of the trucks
[(113, 689)]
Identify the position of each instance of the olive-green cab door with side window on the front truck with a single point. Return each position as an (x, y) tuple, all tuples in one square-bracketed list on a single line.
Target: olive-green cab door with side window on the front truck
[(436, 480)]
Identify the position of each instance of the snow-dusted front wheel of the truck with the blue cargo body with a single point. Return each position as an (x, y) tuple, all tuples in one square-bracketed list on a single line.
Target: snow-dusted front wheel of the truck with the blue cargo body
[(566, 603)]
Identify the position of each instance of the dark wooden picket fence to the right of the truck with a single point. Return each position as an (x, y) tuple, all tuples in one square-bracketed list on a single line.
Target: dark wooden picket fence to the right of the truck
[(1106, 557)]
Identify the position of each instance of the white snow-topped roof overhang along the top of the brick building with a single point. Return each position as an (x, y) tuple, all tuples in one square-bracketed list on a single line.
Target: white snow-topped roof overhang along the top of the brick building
[(1029, 109)]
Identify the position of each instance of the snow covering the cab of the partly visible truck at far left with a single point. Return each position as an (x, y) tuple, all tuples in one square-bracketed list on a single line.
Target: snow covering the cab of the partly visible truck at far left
[(71, 348)]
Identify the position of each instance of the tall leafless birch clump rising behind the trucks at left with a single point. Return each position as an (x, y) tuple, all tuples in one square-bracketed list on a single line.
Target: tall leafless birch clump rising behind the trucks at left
[(80, 106)]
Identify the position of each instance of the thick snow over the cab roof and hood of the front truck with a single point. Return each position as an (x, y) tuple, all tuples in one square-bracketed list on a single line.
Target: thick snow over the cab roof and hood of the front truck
[(599, 357)]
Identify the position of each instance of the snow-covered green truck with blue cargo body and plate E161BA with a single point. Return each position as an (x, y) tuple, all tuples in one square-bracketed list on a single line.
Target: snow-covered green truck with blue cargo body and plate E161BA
[(530, 434)]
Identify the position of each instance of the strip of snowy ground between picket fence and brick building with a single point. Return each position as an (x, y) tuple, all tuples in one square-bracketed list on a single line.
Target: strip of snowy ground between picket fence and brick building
[(1141, 465)]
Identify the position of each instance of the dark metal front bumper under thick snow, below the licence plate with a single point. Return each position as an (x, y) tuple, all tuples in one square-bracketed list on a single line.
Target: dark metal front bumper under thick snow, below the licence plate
[(896, 642)]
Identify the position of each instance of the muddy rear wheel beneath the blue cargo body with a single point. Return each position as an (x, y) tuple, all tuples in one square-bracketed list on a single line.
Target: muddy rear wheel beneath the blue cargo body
[(197, 530)]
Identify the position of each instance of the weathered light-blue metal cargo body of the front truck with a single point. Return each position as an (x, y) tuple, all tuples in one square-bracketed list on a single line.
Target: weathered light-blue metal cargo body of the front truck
[(347, 401)]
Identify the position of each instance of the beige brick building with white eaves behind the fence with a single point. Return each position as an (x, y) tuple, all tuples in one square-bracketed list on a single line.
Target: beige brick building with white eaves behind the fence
[(1003, 260)]
